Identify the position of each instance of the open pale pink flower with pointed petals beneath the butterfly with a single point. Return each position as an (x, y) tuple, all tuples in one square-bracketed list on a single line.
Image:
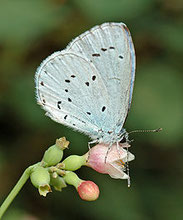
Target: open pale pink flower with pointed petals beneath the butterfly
[(114, 164)]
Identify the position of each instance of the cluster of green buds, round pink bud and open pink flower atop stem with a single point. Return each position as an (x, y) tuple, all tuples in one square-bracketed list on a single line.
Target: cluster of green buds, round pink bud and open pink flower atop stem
[(52, 171)]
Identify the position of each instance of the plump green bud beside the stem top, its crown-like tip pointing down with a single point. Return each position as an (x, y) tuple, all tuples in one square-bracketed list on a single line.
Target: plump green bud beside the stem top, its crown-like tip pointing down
[(40, 178)]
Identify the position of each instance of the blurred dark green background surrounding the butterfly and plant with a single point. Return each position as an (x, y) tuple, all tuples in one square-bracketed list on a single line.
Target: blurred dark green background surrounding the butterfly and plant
[(32, 30)]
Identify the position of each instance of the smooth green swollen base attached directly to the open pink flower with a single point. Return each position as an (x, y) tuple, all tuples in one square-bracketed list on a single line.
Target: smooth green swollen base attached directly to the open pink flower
[(74, 162)]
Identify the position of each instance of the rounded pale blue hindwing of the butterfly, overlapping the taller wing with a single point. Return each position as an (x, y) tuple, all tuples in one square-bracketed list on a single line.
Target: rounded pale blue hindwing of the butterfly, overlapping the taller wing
[(71, 91)]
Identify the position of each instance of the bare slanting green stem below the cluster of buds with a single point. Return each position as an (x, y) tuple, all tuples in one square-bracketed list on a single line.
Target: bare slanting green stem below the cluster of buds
[(16, 190)]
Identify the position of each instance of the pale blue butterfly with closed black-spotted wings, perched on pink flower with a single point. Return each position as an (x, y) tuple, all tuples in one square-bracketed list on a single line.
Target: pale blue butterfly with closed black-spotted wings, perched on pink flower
[(88, 86)]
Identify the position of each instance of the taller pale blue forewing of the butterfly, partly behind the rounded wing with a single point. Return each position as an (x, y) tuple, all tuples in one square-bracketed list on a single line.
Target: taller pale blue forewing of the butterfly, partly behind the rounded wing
[(110, 48)]
